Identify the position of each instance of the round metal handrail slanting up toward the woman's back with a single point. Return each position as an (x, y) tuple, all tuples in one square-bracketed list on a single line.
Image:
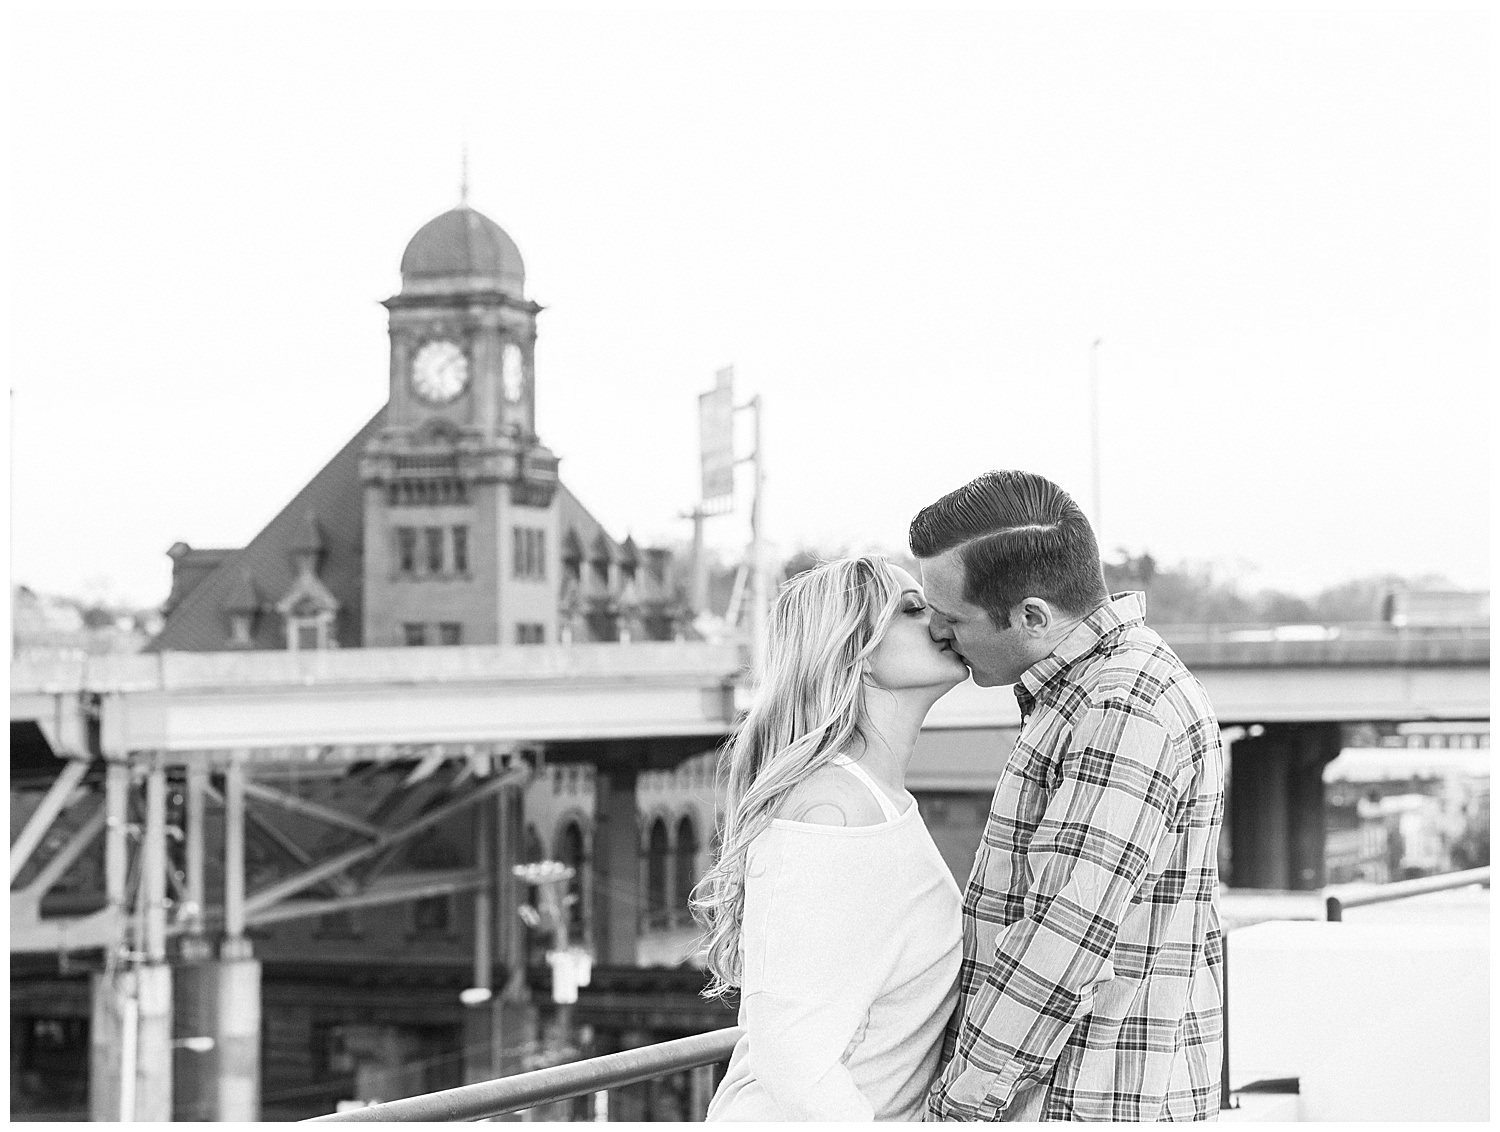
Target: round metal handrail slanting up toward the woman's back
[(556, 1083)]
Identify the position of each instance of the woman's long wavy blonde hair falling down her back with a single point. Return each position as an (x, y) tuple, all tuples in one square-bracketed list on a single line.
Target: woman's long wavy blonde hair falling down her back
[(808, 708)]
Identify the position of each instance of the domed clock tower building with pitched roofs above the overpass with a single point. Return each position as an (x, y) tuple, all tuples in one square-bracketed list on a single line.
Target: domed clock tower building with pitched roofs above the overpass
[(445, 520)]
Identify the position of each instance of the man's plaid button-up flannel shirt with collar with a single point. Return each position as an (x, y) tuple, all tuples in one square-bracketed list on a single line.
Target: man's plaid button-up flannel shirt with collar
[(1091, 981)]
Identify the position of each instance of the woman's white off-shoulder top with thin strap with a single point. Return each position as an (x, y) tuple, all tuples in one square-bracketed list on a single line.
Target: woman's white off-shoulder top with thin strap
[(851, 942)]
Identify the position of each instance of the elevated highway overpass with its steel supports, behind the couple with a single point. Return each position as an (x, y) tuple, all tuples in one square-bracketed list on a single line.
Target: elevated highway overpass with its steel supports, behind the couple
[(127, 723)]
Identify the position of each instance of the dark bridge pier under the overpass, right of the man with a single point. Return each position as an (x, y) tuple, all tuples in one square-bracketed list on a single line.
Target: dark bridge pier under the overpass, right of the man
[(1276, 803)]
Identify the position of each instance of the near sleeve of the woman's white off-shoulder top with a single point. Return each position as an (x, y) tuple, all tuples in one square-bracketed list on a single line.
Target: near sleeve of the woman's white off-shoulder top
[(814, 966)]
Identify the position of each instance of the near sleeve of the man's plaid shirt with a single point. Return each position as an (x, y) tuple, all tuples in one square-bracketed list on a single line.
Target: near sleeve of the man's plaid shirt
[(1087, 860)]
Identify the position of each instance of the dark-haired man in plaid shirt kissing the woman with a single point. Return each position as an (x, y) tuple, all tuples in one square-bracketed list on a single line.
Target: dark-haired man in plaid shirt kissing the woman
[(1093, 969)]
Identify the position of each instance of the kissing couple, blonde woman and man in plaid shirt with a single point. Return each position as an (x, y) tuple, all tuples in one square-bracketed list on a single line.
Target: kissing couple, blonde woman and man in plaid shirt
[(1079, 975)]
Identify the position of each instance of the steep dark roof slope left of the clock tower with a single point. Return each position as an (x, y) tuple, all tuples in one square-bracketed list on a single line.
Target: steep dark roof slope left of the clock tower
[(337, 497)]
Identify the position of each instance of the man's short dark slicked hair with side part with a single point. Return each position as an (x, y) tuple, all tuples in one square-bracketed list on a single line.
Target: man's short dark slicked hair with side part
[(1018, 536)]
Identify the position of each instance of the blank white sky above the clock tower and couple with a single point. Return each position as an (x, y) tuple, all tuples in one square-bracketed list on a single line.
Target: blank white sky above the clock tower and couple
[(902, 229)]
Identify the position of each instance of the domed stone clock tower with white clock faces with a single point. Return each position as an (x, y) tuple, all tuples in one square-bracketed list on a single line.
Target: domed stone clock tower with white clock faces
[(461, 527)]
